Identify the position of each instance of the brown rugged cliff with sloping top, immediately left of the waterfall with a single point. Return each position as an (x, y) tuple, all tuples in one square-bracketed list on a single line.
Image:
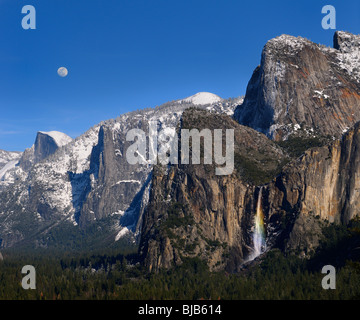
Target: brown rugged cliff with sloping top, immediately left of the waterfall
[(193, 212)]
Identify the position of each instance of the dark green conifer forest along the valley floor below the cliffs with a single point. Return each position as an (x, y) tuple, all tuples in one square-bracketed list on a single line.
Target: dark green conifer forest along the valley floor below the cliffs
[(112, 275)]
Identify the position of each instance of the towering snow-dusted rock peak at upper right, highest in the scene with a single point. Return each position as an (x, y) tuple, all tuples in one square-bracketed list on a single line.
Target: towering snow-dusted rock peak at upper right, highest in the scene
[(300, 84)]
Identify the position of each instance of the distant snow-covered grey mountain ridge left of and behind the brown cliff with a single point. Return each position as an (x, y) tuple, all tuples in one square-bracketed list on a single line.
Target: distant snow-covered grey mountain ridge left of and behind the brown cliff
[(71, 184)]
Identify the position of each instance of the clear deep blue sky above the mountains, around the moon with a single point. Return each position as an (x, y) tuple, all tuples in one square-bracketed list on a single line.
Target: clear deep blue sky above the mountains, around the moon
[(129, 54)]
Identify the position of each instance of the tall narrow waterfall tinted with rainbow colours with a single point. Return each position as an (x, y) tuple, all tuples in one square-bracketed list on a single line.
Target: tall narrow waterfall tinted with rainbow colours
[(259, 230)]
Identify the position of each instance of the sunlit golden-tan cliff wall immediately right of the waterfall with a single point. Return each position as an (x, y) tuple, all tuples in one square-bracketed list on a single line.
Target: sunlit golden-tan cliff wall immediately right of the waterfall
[(322, 185)]
